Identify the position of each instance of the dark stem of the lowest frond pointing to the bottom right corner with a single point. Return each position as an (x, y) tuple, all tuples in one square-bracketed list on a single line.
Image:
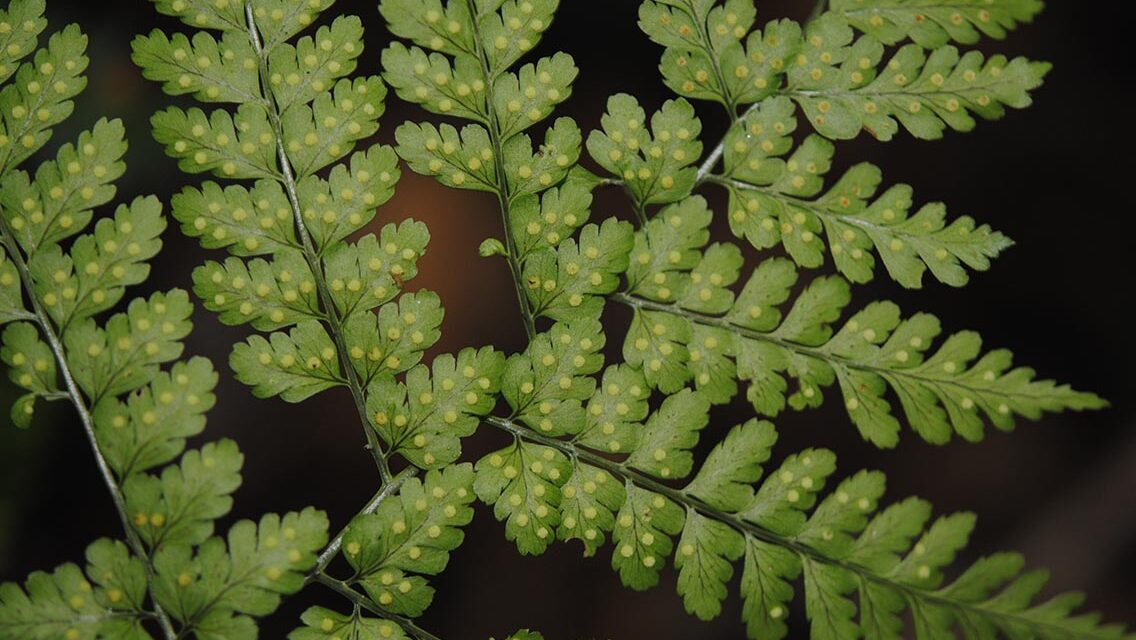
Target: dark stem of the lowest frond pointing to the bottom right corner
[(734, 521)]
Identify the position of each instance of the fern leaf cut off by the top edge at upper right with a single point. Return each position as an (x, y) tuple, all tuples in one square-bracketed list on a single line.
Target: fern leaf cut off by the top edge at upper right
[(934, 23)]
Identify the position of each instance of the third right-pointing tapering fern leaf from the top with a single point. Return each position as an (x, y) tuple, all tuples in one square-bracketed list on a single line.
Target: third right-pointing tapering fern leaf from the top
[(776, 198)]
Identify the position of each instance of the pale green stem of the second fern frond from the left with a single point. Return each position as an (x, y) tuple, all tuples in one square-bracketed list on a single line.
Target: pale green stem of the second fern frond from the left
[(332, 318)]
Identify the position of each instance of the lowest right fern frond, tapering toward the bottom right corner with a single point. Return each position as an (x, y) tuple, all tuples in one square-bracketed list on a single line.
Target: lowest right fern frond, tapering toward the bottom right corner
[(862, 571)]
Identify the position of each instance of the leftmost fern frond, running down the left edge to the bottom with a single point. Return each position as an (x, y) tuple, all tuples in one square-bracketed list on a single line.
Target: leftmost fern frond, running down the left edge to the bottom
[(172, 576)]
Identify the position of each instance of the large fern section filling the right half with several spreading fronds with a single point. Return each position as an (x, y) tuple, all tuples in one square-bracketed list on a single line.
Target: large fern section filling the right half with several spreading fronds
[(588, 456)]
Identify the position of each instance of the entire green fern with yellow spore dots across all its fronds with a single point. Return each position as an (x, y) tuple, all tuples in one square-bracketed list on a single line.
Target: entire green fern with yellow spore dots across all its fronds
[(592, 450)]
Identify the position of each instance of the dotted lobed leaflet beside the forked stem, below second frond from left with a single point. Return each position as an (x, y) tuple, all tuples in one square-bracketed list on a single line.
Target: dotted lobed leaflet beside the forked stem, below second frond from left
[(392, 550)]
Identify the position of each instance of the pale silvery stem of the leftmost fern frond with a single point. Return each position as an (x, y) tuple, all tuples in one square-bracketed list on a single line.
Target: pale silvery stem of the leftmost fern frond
[(41, 319)]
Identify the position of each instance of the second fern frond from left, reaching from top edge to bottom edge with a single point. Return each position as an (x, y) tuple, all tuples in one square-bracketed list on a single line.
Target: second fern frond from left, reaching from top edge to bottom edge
[(333, 310)]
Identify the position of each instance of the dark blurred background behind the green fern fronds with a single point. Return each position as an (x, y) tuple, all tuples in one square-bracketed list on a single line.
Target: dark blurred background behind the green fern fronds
[(1063, 491)]
